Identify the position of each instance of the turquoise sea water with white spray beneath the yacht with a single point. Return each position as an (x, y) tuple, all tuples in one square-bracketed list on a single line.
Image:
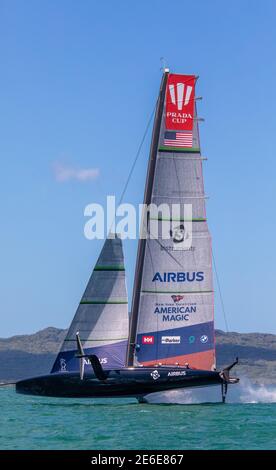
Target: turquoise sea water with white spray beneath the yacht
[(175, 420)]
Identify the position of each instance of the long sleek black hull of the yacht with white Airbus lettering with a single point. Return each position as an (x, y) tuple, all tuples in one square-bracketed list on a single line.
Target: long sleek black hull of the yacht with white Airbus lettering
[(135, 382)]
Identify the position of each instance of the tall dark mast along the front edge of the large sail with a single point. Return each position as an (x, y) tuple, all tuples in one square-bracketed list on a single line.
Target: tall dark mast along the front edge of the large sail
[(147, 200)]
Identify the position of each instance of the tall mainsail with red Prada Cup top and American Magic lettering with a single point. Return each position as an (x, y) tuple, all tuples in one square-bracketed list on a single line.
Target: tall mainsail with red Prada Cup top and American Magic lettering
[(173, 301)]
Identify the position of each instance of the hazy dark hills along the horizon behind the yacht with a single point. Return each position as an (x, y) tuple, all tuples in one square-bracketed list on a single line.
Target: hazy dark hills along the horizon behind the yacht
[(29, 355)]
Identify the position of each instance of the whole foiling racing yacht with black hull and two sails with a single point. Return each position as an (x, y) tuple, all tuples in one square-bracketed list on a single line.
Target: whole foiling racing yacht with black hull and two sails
[(168, 340)]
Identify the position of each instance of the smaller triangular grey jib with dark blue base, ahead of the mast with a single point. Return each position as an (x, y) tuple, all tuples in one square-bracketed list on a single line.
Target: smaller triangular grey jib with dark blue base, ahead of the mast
[(102, 315)]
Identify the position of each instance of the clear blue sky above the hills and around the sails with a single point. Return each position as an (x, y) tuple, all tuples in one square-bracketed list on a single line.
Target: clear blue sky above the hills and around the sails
[(64, 65)]
